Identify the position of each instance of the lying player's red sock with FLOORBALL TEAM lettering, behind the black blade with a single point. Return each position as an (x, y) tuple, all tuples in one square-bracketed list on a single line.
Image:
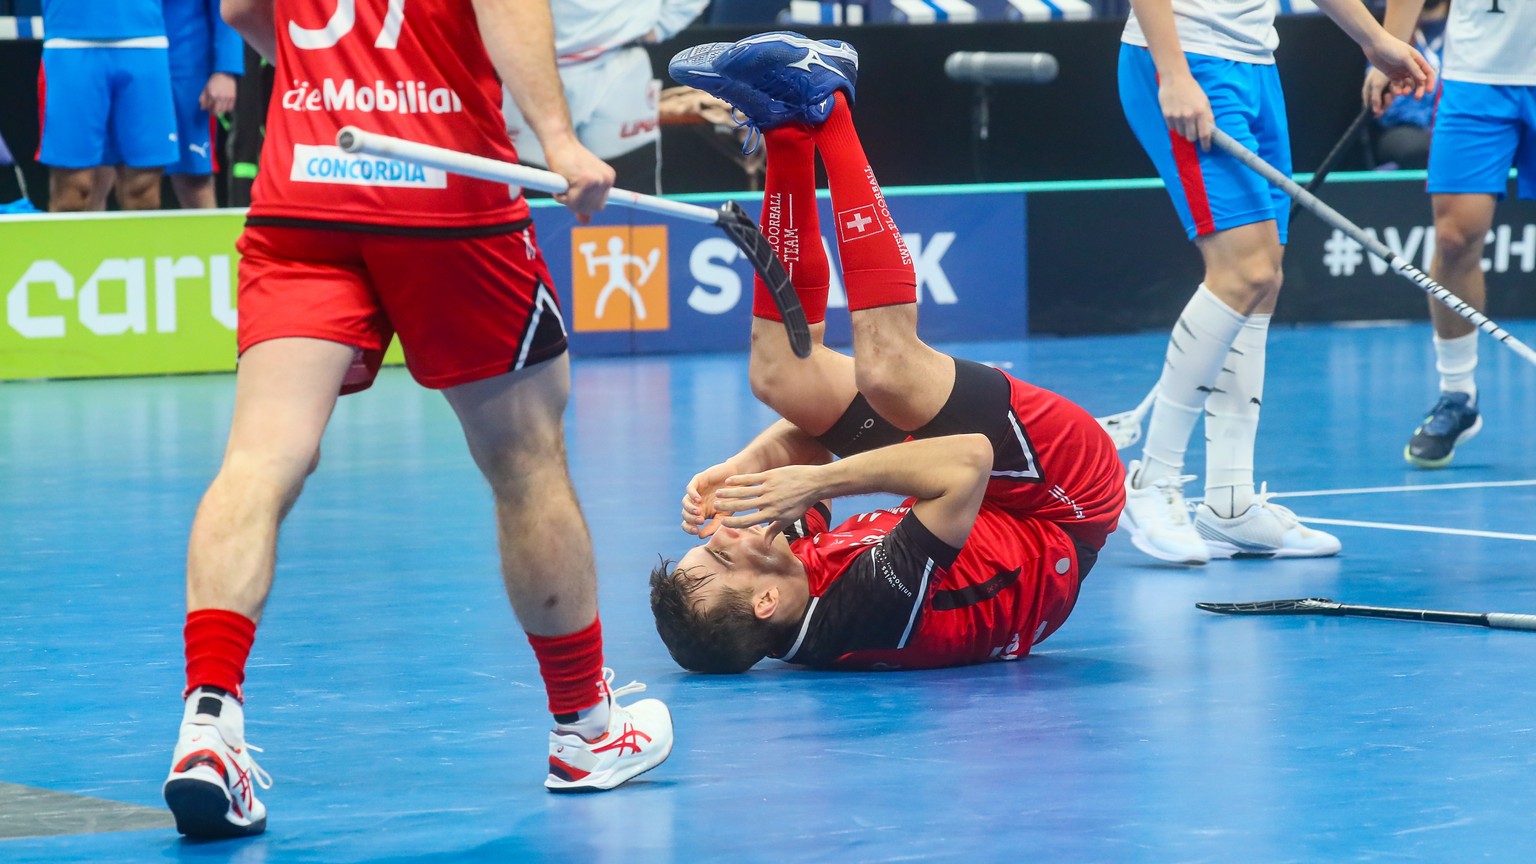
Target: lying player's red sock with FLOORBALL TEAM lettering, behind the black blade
[(792, 225)]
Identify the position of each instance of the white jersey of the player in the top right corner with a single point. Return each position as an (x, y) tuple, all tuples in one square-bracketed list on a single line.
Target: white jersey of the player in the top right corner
[(1489, 47)]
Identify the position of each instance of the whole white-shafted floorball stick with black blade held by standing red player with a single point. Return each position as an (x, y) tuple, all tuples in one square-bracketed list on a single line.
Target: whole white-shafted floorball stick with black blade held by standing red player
[(730, 218)]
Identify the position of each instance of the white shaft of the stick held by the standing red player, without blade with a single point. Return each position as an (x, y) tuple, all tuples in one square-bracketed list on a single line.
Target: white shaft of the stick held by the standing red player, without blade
[(356, 141)]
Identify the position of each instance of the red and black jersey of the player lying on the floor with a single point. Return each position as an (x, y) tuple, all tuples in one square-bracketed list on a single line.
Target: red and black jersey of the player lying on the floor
[(887, 594)]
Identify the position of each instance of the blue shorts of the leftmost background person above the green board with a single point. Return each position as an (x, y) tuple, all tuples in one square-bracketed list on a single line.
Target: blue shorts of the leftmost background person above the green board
[(107, 107)]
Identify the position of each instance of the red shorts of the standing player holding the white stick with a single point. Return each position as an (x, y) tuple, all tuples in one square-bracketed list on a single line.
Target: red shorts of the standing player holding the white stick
[(465, 308)]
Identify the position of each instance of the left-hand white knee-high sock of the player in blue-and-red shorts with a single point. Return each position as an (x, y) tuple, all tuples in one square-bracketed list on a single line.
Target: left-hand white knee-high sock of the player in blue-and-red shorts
[(1196, 353)]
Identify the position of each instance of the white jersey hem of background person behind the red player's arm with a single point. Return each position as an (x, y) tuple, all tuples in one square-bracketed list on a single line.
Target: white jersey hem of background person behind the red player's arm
[(586, 30)]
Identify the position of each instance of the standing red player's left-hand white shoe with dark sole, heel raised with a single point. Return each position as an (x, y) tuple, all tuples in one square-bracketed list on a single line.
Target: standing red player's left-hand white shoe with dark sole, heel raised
[(211, 789)]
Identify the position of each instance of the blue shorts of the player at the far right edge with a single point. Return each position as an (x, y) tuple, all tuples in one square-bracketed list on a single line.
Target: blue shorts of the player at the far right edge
[(1480, 133)]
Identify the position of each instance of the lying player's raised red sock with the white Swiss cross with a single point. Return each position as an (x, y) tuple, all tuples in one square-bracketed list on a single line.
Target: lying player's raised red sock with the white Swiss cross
[(878, 270)]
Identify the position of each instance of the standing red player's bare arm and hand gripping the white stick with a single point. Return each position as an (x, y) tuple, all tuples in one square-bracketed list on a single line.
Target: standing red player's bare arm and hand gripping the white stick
[(520, 39)]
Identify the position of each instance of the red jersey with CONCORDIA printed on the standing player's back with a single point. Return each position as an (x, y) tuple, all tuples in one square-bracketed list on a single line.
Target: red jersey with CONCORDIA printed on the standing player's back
[(414, 71)]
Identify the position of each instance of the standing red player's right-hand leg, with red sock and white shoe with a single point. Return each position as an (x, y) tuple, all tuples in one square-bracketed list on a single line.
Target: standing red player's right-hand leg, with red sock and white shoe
[(515, 431)]
